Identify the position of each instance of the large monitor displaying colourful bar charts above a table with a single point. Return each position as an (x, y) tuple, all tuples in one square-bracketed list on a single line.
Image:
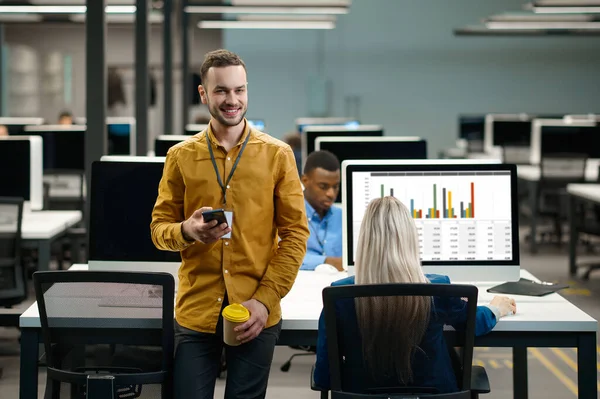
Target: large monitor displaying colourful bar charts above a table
[(466, 213)]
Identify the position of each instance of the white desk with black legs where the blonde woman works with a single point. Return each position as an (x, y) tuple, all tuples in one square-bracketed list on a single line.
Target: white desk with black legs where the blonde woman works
[(549, 321)]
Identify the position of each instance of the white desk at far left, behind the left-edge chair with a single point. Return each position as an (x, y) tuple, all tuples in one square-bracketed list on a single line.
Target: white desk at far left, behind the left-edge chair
[(41, 228)]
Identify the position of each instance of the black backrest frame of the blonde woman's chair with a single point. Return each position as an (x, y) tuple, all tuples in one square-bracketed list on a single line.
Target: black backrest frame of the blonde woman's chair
[(336, 293)]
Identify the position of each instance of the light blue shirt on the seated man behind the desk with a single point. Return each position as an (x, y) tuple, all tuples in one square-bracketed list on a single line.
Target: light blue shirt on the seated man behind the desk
[(325, 236)]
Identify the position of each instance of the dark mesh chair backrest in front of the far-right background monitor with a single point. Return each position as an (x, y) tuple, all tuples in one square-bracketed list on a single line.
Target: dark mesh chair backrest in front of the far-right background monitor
[(565, 167)]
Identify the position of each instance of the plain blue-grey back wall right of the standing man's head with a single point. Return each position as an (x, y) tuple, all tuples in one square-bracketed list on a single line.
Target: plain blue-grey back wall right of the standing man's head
[(412, 74)]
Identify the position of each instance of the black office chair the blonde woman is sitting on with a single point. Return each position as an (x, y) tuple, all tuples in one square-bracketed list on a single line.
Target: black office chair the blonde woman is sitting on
[(467, 376)]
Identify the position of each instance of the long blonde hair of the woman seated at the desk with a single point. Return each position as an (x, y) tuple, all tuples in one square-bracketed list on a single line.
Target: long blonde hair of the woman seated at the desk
[(391, 327)]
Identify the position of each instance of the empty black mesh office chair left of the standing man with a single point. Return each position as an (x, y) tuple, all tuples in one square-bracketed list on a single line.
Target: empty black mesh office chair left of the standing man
[(80, 308)]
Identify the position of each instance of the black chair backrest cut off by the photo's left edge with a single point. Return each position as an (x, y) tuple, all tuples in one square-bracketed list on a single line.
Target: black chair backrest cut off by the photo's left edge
[(13, 288)]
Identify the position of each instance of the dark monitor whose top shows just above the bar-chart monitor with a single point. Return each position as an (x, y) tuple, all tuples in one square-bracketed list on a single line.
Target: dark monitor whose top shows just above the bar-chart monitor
[(364, 147)]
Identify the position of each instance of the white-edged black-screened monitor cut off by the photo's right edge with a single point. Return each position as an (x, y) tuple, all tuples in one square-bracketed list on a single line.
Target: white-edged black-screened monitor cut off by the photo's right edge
[(560, 136)]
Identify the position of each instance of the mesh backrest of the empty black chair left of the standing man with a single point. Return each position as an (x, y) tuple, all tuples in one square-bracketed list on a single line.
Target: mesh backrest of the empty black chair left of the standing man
[(75, 306)]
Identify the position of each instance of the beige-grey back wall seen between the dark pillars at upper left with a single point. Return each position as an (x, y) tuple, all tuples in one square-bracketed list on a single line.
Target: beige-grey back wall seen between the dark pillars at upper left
[(69, 39)]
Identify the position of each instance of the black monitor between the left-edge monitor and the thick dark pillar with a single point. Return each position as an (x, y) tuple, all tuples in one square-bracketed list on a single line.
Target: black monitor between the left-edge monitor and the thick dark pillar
[(64, 147)]
